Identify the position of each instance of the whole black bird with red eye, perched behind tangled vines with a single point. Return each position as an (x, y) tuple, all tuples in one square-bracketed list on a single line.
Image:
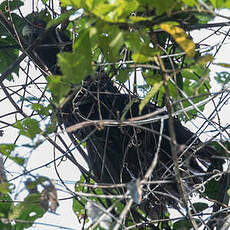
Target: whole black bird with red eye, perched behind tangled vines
[(120, 154)]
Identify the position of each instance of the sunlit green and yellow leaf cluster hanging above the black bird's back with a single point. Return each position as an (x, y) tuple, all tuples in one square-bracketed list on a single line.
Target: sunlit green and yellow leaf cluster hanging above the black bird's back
[(107, 28)]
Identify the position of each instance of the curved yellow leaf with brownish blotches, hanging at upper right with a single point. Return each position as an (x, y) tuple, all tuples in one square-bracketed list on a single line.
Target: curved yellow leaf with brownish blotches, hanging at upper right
[(180, 37)]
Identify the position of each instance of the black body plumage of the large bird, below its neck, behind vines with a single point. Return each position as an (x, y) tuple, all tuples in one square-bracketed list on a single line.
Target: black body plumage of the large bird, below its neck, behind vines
[(119, 154)]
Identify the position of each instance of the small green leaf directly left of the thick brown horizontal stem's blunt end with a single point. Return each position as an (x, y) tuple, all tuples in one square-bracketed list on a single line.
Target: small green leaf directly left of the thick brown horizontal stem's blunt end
[(28, 127)]
